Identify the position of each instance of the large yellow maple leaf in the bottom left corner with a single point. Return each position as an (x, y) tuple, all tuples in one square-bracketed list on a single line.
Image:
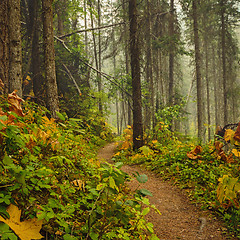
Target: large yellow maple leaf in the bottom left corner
[(26, 230)]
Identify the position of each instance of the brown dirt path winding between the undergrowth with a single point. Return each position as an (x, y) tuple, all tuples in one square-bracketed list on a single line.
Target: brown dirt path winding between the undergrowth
[(179, 219)]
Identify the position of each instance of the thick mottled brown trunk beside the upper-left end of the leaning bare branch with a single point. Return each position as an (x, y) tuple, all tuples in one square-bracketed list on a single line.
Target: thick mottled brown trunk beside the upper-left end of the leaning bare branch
[(49, 57)]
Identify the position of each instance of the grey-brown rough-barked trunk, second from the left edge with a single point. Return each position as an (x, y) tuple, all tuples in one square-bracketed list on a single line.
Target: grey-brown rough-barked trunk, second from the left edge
[(15, 47)]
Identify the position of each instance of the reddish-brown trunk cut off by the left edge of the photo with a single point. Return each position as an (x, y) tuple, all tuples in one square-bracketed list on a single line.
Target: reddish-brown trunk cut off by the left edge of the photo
[(4, 53)]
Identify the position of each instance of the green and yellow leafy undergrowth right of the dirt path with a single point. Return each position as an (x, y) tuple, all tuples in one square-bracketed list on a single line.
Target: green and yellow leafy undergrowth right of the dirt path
[(209, 173)]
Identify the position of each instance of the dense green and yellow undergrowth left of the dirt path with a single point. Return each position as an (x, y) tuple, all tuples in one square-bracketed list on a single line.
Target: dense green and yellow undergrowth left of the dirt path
[(53, 187)]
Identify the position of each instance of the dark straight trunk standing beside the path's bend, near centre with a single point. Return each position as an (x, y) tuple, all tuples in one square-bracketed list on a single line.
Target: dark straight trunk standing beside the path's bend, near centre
[(136, 81)]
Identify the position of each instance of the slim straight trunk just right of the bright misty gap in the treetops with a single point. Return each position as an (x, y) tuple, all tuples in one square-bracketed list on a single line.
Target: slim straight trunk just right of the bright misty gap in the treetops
[(198, 72)]
